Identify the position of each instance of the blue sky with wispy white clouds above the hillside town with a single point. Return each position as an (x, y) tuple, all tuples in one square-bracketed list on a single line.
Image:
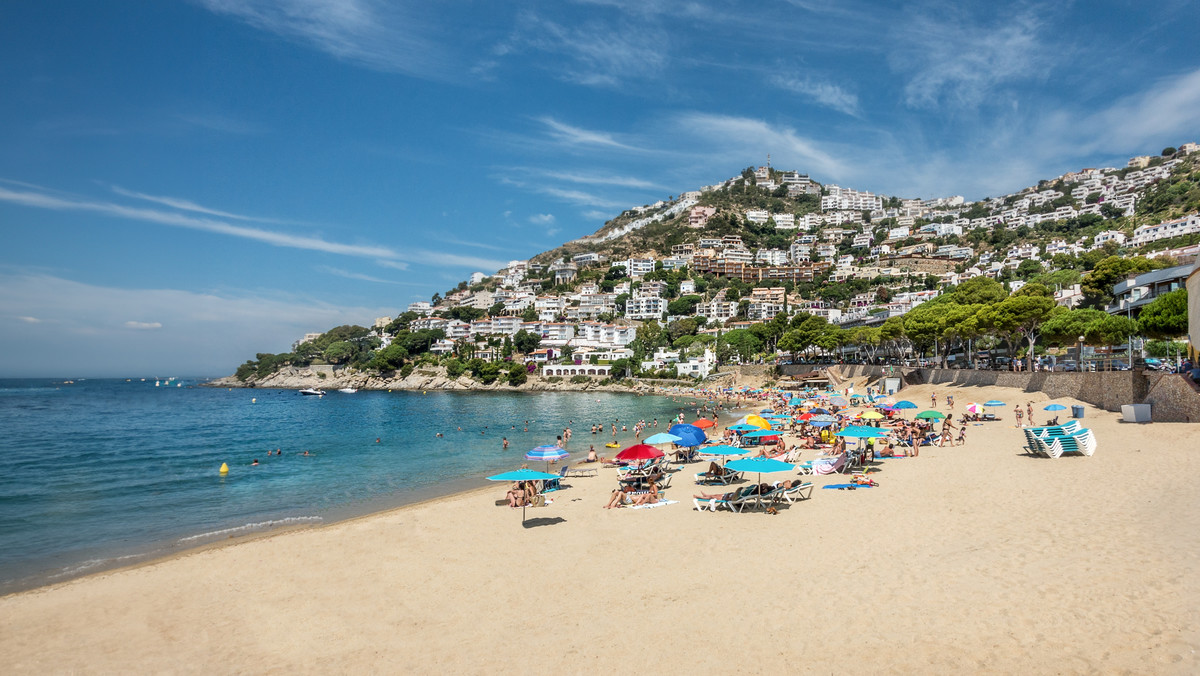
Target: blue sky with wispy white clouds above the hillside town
[(184, 184)]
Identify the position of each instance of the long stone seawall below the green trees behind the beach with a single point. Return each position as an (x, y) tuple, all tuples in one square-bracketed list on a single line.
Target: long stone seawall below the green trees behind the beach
[(1173, 399)]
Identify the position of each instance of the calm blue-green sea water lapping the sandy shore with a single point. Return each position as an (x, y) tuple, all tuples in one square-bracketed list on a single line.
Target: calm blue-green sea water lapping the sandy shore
[(104, 472)]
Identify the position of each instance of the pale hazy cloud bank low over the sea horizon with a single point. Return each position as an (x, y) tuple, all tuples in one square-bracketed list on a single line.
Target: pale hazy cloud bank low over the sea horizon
[(178, 342)]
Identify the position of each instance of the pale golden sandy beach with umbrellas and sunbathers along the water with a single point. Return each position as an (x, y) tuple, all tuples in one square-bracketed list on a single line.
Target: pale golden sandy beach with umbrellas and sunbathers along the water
[(975, 559)]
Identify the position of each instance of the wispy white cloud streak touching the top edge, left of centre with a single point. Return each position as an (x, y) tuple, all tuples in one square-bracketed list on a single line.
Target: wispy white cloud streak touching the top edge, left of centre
[(386, 37)]
